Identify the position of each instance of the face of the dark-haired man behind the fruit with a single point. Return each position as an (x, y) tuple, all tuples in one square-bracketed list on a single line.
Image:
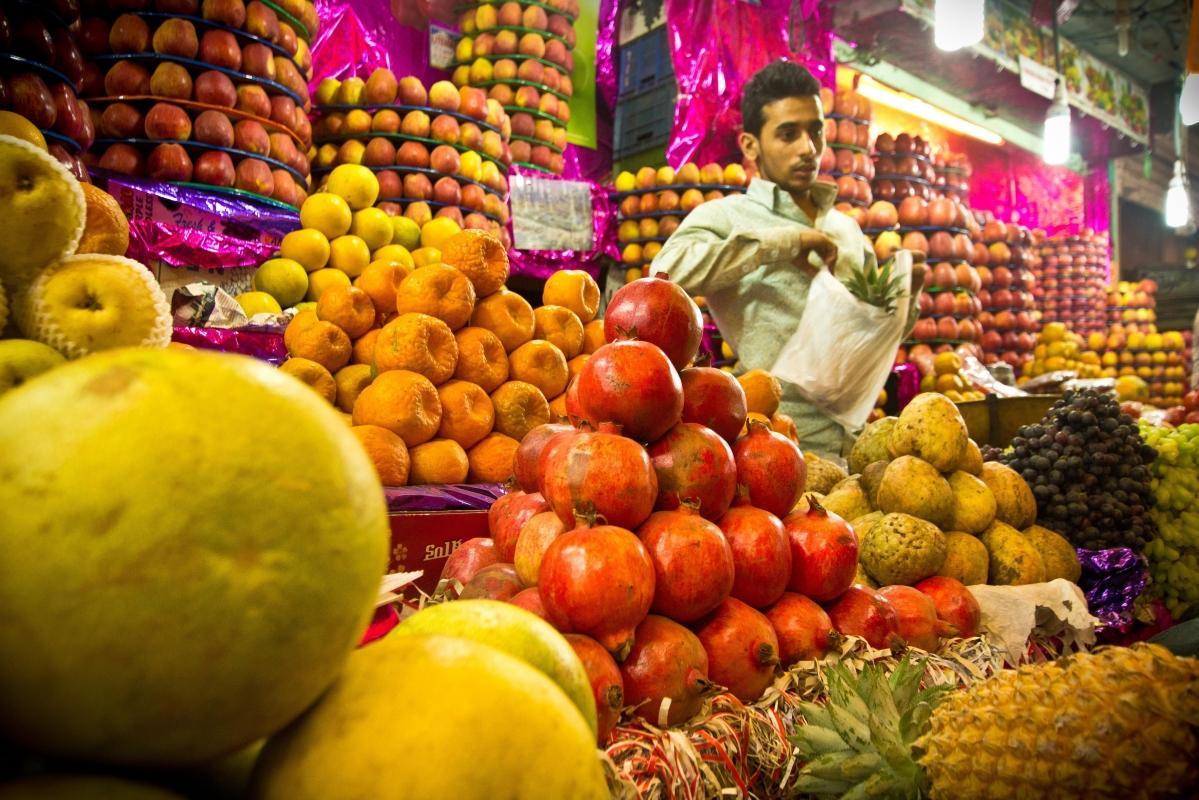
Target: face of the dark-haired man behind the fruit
[(792, 142)]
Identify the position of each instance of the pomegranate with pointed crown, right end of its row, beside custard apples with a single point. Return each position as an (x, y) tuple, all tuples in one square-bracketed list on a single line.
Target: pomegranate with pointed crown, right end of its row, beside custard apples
[(824, 552)]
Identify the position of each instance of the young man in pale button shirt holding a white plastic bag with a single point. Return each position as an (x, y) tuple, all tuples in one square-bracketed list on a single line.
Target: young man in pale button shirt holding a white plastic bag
[(754, 257)]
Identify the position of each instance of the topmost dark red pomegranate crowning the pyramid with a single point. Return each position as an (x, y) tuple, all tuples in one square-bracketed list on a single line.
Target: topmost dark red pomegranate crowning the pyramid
[(656, 311)]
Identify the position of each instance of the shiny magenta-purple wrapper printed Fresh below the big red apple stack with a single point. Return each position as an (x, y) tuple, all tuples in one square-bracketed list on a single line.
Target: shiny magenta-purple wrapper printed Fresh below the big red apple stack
[(189, 227)]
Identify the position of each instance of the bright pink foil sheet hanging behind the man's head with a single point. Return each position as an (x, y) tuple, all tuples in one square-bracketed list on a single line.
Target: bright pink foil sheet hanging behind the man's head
[(718, 46)]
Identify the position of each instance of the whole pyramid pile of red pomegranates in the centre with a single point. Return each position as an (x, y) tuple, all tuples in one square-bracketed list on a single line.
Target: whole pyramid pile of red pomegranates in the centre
[(667, 532)]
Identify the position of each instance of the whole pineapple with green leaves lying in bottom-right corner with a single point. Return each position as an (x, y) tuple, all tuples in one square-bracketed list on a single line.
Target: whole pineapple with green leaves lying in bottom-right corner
[(1120, 723)]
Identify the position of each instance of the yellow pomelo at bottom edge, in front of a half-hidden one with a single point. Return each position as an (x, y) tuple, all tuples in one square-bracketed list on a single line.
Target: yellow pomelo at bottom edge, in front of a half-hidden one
[(427, 718)]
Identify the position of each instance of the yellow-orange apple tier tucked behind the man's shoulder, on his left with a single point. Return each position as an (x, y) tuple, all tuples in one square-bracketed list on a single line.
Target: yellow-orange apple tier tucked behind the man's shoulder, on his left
[(653, 203)]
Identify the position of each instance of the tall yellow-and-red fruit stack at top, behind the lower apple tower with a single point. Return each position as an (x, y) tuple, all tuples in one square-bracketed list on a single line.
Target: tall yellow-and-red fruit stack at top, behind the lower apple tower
[(521, 55)]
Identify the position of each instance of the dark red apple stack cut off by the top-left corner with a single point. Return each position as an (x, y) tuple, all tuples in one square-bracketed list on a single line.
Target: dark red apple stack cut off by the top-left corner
[(41, 71)]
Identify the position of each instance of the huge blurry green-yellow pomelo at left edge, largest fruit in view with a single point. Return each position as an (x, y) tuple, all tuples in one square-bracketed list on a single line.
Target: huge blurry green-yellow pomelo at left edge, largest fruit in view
[(191, 548)]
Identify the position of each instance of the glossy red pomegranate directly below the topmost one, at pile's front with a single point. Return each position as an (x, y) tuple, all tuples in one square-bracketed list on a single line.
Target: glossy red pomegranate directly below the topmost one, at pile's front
[(631, 383)]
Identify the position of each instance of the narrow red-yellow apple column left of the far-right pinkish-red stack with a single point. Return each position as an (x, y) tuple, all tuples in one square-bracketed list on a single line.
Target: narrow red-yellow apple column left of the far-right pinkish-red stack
[(1010, 318)]
